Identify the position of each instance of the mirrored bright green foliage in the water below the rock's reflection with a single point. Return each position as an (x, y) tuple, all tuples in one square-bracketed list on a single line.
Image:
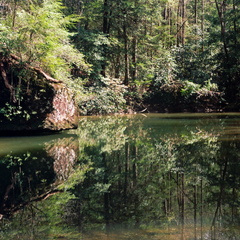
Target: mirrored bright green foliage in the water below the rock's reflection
[(51, 217)]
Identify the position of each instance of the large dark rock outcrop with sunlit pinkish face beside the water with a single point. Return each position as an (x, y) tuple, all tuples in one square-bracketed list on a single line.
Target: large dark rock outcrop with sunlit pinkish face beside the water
[(30, 100)]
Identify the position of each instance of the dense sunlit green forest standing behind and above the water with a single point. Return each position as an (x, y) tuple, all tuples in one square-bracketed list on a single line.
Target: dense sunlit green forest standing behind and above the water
[(125, 55)]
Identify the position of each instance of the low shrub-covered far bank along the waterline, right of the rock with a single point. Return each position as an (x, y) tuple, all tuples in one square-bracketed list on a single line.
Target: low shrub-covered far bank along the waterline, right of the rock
[(117, 98)]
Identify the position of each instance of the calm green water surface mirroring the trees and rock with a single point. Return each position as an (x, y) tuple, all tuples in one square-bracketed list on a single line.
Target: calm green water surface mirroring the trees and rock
[(146, 176)]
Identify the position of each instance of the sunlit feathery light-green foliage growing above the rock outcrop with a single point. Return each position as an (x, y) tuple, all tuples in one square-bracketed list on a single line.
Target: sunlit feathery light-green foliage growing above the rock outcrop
[(40, 37)]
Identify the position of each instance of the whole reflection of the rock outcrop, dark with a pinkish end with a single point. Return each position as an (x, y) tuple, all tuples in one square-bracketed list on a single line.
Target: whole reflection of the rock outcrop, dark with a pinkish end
[(29, 176)]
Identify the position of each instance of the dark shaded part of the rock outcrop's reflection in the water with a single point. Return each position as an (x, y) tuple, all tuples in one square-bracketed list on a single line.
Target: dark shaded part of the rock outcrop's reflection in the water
[(20, 174)]
